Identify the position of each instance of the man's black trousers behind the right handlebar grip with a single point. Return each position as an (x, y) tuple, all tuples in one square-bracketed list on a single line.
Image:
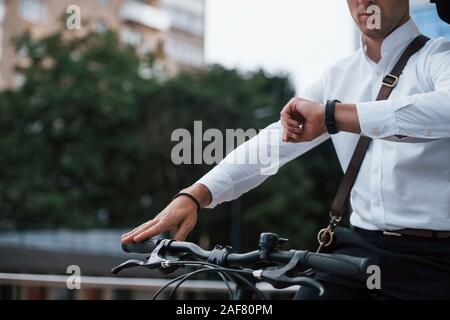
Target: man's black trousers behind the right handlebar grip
[(410, 267)]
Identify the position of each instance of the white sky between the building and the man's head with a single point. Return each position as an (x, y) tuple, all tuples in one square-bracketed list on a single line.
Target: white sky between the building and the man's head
[(300, 37)]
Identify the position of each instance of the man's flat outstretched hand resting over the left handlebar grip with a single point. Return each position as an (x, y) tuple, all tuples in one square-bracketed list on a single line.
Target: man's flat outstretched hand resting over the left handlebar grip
[(180, 216)]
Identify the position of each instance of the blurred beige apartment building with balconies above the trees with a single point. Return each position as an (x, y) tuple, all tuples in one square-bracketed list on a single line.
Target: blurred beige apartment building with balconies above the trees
[(170, 29)]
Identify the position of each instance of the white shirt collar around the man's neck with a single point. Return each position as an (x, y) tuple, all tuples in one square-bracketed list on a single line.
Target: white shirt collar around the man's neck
[(400, 37)]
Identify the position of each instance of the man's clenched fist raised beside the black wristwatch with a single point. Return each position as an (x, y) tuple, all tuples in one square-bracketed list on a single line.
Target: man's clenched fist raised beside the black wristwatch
[(302, 120)]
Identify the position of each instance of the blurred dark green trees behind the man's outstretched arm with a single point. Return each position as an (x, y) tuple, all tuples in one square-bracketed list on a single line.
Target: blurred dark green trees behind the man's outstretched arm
[(86, 142)]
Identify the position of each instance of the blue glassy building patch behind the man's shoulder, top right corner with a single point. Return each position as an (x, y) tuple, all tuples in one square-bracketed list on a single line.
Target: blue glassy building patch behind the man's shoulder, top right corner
[(425, 15)]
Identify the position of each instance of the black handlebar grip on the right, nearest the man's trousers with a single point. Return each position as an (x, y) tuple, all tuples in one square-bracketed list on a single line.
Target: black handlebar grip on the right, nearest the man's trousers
[(337, 263)]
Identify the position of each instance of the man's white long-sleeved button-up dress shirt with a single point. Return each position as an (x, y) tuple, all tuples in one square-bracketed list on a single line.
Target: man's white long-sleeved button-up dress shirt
[(402, 183)]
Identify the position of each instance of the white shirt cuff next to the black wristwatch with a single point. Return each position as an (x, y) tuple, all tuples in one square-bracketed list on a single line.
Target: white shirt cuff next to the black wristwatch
[(377, 119)]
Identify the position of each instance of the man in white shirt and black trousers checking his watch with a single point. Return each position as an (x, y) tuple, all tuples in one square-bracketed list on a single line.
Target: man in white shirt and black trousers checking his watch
[(404, 180)]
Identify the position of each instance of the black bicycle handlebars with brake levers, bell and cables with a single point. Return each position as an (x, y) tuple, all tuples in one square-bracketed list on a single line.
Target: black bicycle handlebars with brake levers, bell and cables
[(269, 264)]
